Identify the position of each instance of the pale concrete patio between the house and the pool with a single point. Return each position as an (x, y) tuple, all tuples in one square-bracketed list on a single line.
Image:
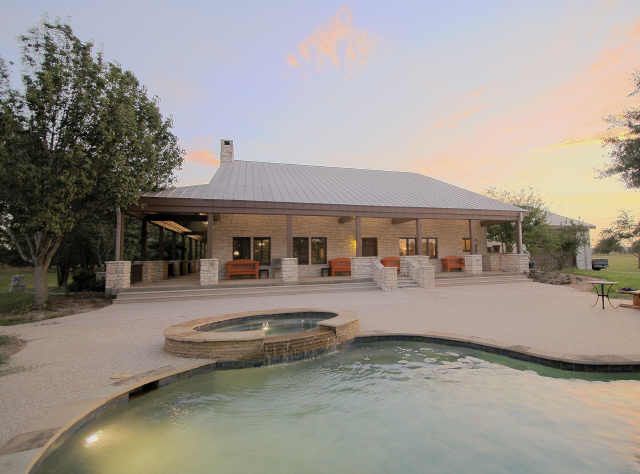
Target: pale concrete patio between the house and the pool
[(71, 363)]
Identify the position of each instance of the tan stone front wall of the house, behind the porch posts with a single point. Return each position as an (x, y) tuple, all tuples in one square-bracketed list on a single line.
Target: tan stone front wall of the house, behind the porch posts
[(340, 237)]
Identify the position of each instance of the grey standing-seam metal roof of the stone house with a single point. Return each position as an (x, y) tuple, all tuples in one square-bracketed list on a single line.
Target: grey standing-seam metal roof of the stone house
[(279, 185)]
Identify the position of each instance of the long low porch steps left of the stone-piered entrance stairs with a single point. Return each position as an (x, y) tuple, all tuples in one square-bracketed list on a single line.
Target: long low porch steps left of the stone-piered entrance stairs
[(147, 295)]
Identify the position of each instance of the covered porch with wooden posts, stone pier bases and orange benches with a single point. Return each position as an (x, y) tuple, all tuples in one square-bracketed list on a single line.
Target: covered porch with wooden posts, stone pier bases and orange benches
[(199, 244)]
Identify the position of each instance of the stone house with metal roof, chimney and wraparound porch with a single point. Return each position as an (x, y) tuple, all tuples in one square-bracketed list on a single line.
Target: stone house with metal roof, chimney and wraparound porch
[(289, 214)]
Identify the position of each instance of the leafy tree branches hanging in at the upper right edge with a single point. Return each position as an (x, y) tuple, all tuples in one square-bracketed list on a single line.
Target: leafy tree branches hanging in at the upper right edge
[(624, 149)]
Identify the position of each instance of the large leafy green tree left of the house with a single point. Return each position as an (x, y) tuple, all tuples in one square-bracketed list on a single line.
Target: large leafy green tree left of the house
[(79, 138)]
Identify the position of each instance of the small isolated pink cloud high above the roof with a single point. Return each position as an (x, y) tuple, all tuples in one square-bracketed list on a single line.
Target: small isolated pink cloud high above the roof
[(338, 43)]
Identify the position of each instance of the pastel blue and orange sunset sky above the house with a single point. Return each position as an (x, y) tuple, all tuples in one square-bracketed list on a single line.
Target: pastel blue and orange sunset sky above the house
[(485, 94)]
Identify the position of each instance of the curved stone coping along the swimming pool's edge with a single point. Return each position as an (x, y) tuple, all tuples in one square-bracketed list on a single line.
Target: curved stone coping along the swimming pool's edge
[(560, 361)]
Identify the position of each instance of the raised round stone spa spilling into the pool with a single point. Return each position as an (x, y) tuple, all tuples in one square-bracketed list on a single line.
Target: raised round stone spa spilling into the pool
[(257, 337)]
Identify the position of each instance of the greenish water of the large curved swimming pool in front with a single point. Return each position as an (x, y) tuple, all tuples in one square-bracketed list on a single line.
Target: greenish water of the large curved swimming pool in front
[(383, 407)]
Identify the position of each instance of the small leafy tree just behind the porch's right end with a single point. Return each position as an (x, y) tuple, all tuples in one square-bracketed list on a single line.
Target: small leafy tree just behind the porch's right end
[(535, 231)]
